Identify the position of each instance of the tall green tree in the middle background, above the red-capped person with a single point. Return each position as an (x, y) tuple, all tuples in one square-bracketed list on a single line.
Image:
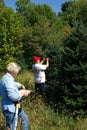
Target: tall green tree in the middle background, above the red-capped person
[(39, 33)]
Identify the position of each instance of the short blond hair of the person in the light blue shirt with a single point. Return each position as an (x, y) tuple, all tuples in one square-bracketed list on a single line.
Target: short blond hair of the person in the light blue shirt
[(13, 67)]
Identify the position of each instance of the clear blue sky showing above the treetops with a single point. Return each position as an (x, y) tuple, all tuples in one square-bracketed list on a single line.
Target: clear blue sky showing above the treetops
[(54, 4)]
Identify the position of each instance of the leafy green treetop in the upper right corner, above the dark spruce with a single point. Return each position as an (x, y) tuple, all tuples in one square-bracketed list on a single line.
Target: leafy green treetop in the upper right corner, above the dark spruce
[(73, 11)]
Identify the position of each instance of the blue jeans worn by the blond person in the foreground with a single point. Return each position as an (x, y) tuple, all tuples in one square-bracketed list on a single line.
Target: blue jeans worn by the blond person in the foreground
[(10, 118)]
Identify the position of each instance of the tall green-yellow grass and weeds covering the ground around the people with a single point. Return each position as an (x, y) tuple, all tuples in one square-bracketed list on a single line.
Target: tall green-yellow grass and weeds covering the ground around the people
[(41, 116)]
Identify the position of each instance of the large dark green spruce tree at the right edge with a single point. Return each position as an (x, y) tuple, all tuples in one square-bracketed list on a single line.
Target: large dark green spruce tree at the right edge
[(74, 70)]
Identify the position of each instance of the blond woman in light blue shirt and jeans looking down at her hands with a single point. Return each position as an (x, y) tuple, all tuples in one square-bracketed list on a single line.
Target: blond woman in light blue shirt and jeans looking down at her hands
[(11, 95)]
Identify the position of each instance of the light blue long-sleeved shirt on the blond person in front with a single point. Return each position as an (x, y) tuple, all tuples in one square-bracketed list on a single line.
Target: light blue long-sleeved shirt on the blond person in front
[(9, 92)]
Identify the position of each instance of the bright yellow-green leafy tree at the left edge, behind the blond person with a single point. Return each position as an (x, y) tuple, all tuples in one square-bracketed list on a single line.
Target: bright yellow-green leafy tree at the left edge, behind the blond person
[(10, 35)]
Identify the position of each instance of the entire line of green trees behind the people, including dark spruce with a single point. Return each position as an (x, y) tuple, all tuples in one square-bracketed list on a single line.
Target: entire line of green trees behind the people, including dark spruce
[(37, 30)]
